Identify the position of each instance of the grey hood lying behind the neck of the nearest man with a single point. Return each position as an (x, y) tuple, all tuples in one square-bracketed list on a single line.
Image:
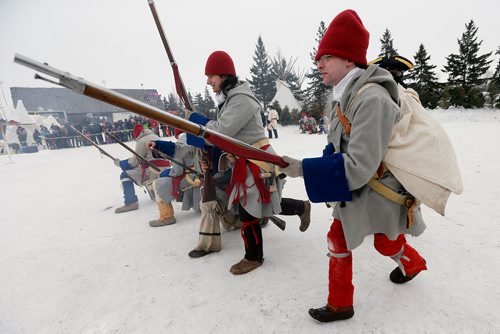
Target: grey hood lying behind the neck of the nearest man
[(373, 74)]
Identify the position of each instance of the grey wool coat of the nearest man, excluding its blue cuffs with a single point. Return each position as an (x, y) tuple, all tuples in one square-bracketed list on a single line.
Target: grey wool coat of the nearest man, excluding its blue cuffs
[(372, 114)]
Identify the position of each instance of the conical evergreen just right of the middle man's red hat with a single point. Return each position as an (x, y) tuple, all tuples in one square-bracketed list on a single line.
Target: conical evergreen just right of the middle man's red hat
[(263, 79)]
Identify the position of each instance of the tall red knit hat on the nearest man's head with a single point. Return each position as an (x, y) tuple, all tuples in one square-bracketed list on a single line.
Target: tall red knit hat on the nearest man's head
[(346, 38)]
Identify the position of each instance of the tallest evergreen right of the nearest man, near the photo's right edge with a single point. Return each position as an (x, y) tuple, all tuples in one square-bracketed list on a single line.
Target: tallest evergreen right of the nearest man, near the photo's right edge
[(466, 70)]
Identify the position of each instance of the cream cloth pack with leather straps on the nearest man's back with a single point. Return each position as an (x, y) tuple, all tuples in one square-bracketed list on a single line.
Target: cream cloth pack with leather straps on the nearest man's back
[(419, 154)]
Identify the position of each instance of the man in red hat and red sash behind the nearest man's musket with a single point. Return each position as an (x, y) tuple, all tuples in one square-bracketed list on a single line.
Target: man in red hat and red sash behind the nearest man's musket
[(255, 189)]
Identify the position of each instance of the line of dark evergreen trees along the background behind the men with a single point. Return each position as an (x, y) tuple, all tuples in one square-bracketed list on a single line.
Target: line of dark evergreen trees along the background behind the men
[(470, 83)]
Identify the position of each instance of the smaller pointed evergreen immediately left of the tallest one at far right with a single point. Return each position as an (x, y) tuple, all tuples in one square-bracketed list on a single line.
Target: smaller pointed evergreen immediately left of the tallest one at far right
[(424, 80)]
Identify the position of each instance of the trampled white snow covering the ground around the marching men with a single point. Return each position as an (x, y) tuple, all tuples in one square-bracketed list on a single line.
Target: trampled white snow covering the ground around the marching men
[(69, 264)]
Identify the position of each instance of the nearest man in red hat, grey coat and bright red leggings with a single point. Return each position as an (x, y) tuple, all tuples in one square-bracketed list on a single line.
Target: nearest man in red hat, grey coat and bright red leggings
[(365, 111)]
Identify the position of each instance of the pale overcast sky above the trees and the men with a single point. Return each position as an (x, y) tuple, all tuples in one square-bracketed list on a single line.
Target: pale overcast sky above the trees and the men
[(116, 43)]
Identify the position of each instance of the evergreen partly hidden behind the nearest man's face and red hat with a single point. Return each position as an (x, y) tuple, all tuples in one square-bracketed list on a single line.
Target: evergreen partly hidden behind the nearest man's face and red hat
[(316, 92)]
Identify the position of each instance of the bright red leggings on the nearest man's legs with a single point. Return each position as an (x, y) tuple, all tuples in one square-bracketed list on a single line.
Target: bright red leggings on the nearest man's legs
[(341, 290)]
